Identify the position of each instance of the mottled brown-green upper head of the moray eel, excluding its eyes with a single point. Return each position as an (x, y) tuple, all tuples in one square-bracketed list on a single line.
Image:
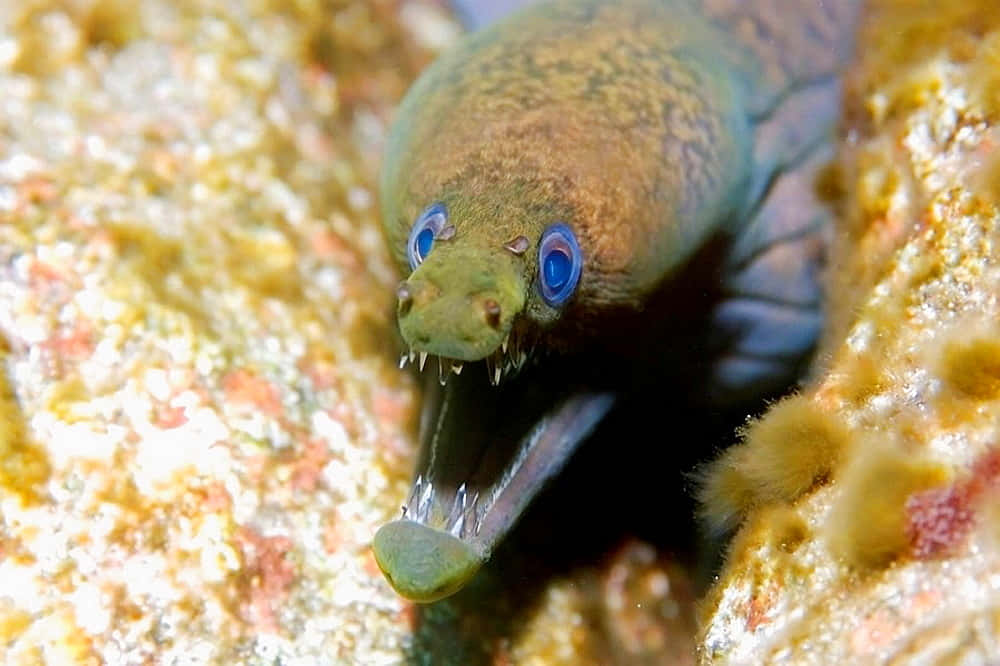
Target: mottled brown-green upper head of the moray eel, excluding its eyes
[(576, 112)]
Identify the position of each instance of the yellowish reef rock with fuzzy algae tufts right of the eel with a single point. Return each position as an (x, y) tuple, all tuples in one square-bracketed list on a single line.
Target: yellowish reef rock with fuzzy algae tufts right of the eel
[(870, 531)]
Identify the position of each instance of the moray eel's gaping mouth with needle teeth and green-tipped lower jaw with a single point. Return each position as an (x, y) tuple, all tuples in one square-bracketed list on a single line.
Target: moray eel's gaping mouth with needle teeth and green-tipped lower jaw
[(486, 452)]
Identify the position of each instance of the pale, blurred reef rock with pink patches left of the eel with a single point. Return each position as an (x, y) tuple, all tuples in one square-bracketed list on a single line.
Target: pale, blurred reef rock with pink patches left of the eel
[(200, 414)]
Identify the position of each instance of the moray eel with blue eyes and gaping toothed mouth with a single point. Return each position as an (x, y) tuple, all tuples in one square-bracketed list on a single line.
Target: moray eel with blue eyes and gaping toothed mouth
[(628, 180)]
